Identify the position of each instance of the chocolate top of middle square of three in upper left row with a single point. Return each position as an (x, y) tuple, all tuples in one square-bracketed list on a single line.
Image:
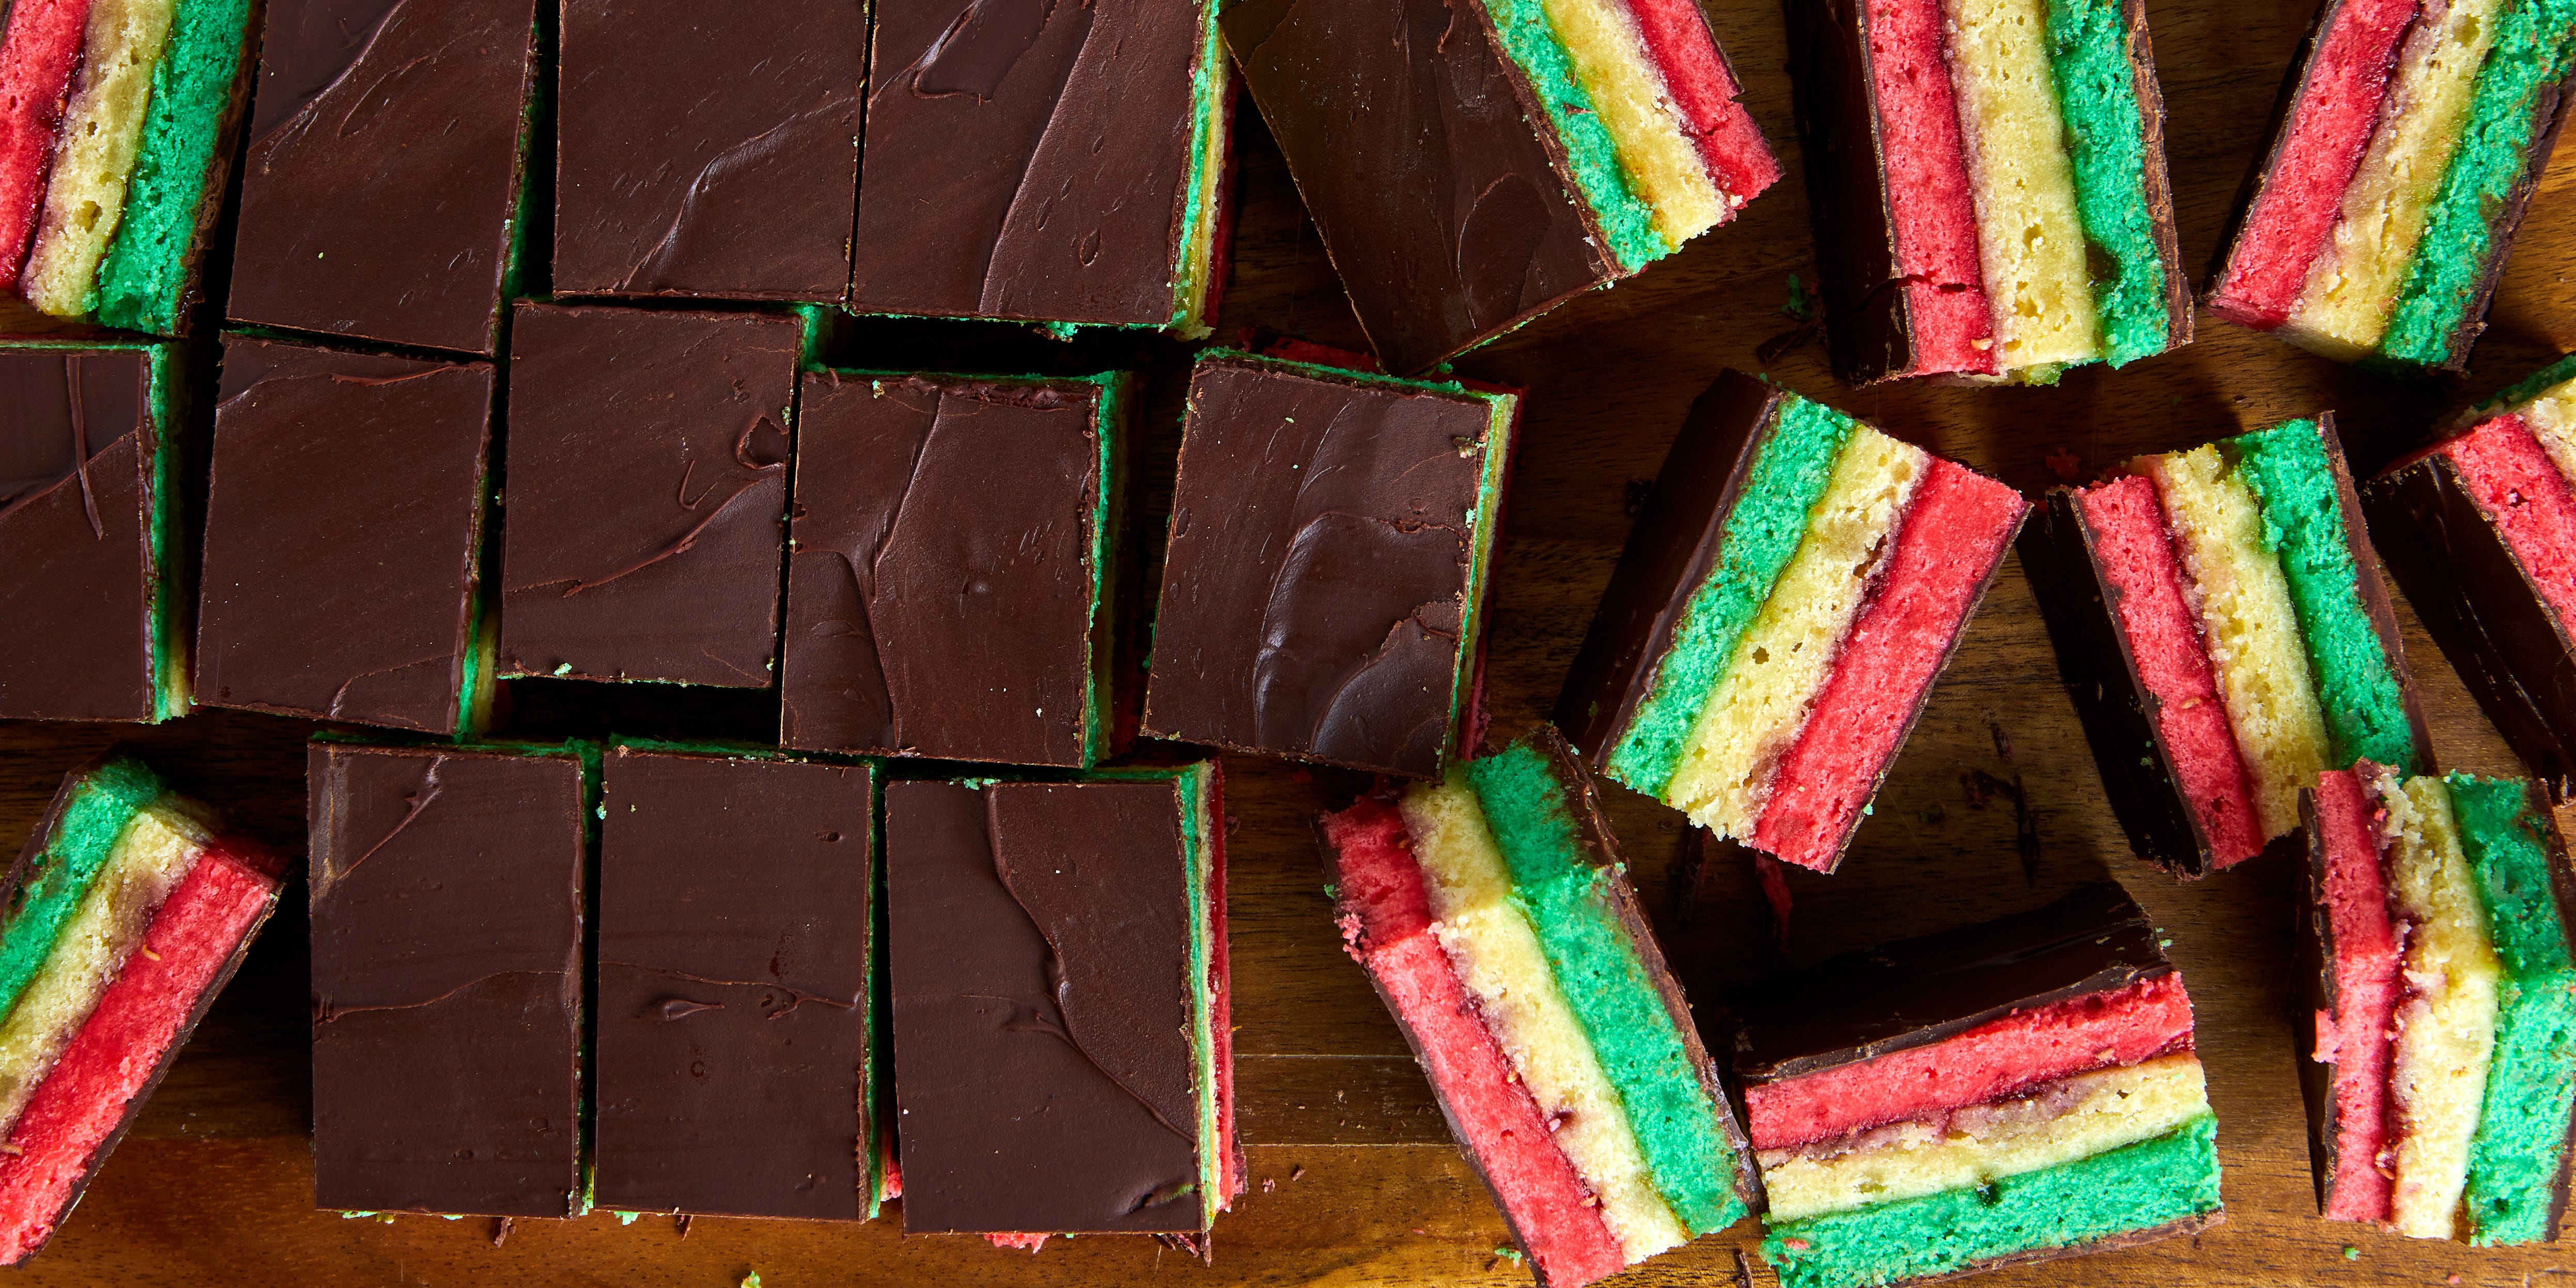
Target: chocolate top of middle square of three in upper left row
[(707, 151)]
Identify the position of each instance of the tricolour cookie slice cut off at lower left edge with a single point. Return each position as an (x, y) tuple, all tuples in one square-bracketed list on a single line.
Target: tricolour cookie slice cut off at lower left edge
[(130, 908)]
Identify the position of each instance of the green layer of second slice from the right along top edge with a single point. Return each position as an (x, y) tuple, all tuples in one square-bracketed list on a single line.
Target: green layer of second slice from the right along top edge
[(2106, 140)]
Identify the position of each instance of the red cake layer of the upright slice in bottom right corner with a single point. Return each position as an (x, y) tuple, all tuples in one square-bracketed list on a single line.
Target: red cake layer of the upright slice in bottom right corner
[(2353, 1034)]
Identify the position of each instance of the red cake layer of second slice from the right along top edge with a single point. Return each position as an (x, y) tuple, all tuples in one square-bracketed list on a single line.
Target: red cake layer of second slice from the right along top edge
[(1928, 189)]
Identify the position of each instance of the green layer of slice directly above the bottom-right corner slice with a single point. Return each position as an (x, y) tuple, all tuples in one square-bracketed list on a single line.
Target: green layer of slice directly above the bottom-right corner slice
[(2304, 516)]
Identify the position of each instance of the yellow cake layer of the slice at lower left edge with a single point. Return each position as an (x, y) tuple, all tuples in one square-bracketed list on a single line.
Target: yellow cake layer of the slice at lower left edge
[(153, 854)]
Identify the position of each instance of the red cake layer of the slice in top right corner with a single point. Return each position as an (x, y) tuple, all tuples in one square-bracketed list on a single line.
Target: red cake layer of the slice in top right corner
[(2330, 130)]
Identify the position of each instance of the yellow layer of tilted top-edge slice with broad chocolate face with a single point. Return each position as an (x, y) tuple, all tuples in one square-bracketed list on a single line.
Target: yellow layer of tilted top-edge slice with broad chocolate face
[(1629, 97)]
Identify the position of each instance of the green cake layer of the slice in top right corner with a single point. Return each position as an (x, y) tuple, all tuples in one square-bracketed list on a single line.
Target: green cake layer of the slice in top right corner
[(2536, 45)]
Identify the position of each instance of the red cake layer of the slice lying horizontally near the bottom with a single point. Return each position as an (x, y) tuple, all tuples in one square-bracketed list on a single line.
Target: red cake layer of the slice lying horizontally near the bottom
[(1987, 1063)]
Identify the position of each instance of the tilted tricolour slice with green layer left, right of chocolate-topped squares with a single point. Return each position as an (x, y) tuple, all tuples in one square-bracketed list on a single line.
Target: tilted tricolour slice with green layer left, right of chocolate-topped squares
[(1781, 614)]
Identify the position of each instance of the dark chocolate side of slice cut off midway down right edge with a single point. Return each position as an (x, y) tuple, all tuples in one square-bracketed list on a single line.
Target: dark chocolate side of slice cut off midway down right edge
[(2482, 609)]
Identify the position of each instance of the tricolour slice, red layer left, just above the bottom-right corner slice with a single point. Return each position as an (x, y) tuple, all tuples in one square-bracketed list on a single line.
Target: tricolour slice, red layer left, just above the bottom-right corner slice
[(2224, 632)]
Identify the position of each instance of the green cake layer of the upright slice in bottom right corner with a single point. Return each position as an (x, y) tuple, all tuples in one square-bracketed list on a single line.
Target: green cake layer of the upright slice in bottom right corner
[(2523, 1119)]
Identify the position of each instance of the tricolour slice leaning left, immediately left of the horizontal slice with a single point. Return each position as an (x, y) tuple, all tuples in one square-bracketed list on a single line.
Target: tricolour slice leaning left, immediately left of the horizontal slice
[(1498, 923)]
